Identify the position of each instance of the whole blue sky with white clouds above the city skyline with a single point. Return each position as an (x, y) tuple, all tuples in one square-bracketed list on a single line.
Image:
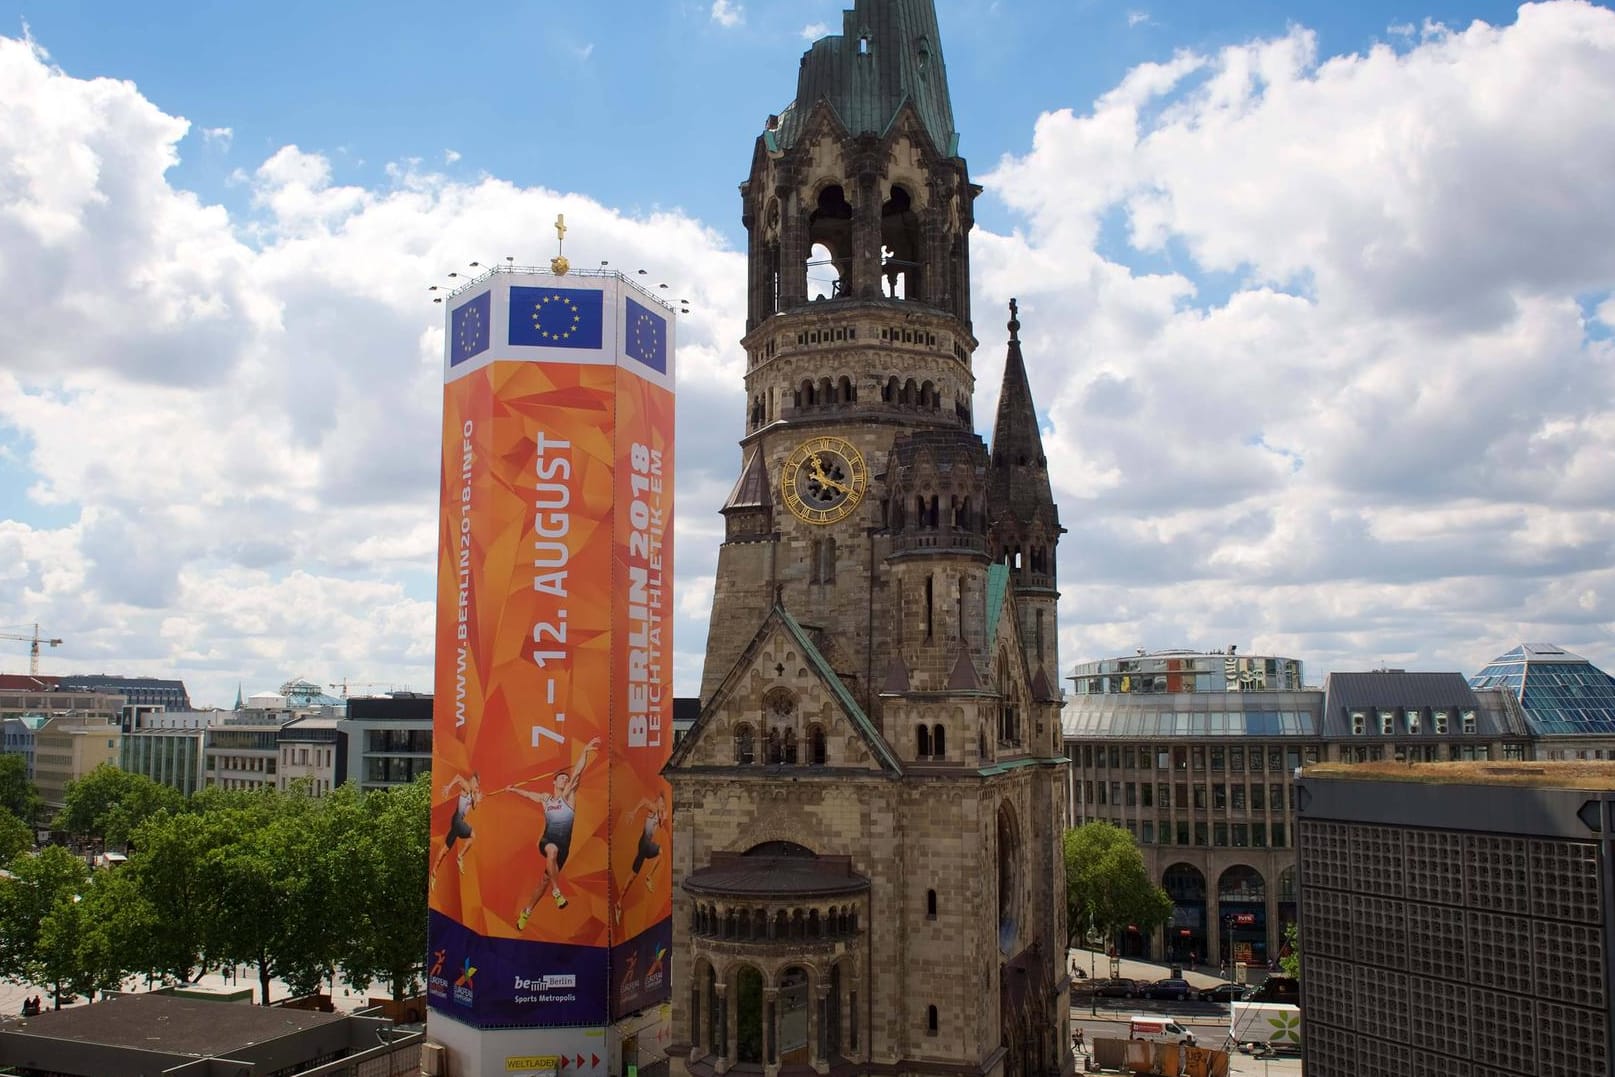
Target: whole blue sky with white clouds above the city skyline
[(1317, 308)]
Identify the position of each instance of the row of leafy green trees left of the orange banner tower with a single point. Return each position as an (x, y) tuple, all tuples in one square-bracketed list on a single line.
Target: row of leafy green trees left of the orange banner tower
[(293, 886)]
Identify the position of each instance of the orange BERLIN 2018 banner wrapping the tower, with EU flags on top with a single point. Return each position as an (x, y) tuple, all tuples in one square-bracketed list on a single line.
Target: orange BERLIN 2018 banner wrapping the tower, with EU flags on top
[(550, 899)]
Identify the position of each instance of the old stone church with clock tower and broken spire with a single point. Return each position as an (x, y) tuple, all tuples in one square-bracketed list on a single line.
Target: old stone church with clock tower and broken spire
[(868, 870)]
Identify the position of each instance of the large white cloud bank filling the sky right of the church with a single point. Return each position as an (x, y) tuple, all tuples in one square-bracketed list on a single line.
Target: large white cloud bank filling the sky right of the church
[(1364, 416)]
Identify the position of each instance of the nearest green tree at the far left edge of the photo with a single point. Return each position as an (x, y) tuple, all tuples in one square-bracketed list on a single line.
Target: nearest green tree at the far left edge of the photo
[(38, 916)]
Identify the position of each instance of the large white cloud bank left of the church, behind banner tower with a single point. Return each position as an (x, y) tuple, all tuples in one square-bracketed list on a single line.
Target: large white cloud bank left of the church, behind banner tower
[(245, 435)]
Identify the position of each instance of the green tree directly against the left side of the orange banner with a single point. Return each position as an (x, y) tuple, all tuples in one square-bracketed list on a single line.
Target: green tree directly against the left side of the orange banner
[(384, 878)]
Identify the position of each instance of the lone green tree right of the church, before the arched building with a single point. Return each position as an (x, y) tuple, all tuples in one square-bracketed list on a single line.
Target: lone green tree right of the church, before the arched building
[(1107, 886)]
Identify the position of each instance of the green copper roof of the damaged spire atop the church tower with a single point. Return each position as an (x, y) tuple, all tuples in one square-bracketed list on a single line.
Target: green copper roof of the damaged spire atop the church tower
[(889, 52)]
